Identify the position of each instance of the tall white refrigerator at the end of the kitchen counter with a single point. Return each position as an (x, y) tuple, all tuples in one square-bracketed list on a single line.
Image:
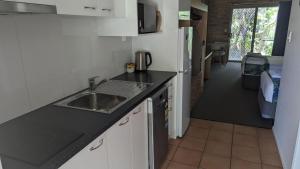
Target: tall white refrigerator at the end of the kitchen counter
[(184, 80)]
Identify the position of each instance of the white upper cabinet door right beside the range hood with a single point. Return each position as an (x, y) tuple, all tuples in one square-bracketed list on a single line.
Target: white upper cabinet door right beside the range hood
[(78, 7)]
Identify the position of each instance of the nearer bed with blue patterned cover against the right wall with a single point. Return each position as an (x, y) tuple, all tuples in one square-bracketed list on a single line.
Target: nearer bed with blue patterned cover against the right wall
[(269, 88)]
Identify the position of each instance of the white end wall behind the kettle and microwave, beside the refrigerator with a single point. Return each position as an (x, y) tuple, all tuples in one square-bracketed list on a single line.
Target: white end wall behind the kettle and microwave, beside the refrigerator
[(163, 45)]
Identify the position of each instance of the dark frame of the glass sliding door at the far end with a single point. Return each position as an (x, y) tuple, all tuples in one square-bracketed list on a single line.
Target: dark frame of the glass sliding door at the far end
[(245, 5)]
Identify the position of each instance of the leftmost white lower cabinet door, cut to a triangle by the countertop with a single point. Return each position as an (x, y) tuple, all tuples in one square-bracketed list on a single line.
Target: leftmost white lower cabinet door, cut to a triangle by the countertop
[(94, 156)]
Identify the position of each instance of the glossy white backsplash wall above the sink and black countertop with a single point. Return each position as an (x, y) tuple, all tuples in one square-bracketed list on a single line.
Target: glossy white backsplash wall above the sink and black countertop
[(46, 57)]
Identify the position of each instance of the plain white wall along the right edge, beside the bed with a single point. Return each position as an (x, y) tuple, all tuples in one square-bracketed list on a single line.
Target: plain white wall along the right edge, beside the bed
[(288, 110)]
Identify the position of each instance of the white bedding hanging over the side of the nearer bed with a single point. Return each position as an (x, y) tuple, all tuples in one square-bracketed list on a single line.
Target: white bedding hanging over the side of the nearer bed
[(267, 86)]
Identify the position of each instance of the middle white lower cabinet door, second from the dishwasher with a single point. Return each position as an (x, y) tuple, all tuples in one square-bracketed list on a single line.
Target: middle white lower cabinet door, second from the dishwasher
[(120, 144)]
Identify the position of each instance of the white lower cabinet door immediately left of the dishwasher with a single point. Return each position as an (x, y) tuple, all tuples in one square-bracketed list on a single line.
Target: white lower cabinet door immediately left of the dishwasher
[(139, 137)]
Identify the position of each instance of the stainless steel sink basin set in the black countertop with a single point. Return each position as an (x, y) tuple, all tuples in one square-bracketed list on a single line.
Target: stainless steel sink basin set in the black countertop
[(98, 102)]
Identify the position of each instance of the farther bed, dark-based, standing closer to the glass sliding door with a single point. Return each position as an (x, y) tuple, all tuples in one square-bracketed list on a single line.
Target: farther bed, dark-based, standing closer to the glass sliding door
[(253, 64)]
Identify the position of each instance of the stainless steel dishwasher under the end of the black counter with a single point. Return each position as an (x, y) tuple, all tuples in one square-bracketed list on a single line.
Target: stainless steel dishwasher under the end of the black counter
[(158, 128)]
